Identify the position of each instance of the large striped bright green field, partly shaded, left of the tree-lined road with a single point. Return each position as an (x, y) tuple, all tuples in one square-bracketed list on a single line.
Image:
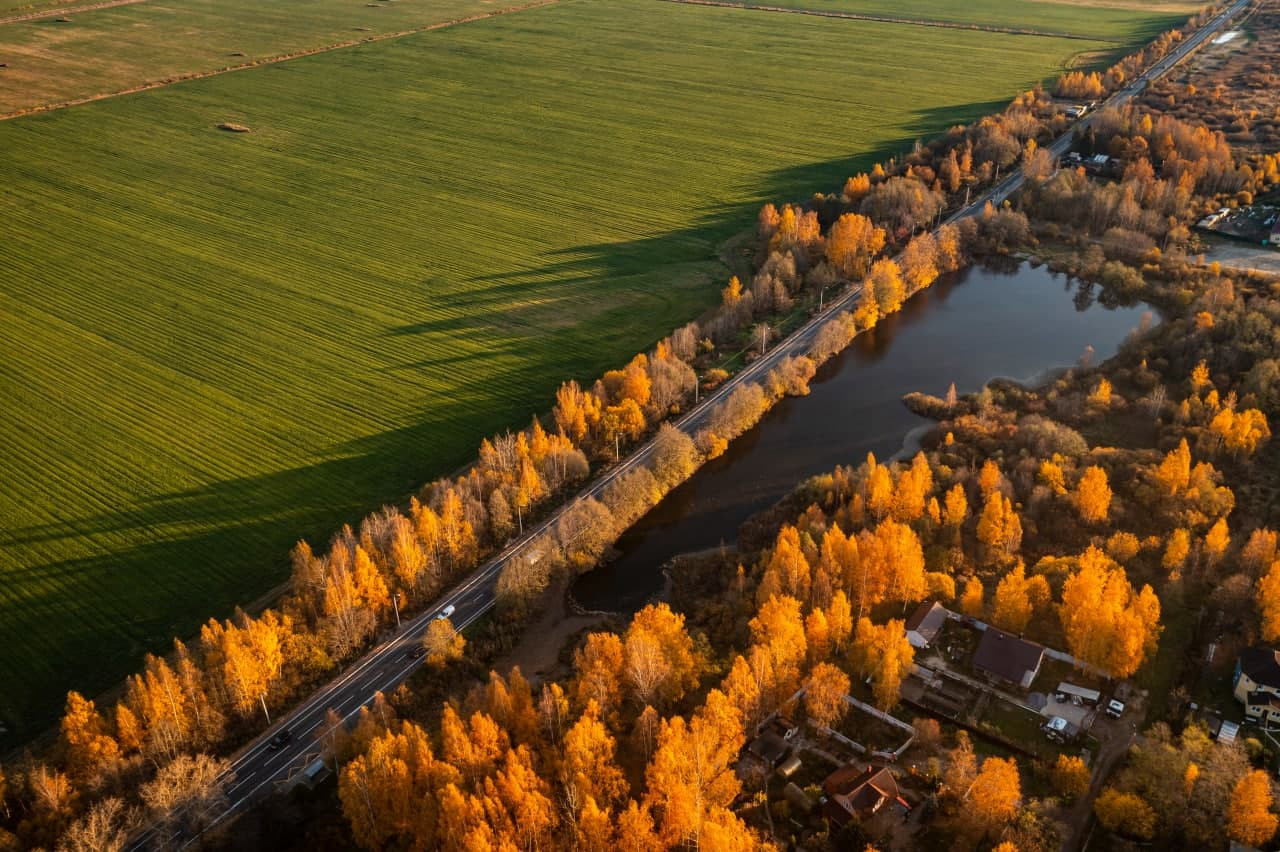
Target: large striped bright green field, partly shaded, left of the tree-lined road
[(217, 343)]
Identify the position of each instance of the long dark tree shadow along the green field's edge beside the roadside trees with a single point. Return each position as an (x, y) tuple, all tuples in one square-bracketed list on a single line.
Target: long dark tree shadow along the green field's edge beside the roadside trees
[(167, 564)]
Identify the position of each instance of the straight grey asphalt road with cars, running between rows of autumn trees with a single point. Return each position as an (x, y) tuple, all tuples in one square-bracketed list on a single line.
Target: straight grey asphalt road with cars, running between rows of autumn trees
[(258, 771)]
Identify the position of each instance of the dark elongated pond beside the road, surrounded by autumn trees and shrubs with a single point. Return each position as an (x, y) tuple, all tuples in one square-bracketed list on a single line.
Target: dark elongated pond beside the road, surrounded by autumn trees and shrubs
[(971, 328)]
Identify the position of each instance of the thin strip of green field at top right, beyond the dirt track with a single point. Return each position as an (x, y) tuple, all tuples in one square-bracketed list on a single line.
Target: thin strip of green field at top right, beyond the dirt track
[(1119, 21)]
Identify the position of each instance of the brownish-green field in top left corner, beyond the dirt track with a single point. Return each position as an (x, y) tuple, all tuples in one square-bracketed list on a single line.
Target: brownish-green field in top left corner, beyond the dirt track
[(111, 51)]
